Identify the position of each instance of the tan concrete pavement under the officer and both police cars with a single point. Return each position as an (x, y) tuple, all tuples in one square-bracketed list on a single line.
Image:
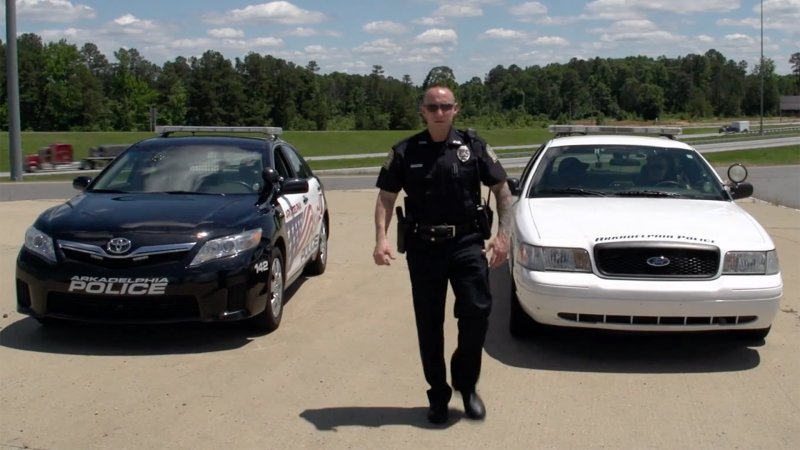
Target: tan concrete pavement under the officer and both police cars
[(342, 372)]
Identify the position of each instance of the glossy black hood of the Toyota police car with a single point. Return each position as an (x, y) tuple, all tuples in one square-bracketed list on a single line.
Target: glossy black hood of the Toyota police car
[(163, 216)]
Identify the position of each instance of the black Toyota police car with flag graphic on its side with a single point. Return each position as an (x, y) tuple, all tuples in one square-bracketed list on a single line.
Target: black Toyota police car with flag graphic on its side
[(207, 226)]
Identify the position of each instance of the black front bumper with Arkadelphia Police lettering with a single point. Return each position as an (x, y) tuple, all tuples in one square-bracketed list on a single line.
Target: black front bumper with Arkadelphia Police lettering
[(218, 291)]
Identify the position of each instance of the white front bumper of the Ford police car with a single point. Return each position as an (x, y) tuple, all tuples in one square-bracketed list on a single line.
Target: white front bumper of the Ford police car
[(588, 301)]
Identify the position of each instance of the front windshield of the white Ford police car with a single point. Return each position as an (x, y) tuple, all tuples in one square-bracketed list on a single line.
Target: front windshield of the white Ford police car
[(624, 171)]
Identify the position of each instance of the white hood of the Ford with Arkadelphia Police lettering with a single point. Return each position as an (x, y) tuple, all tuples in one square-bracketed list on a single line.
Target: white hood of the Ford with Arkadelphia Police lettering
[(583, 222)]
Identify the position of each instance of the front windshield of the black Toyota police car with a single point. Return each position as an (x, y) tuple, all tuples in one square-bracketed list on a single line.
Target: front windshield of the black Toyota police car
[(185, 166)]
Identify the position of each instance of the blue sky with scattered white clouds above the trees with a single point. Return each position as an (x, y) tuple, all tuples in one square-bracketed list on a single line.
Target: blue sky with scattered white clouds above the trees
[(412, 36)]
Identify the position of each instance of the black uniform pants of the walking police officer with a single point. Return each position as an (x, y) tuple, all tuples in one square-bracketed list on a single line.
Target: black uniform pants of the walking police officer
[(462, 262)]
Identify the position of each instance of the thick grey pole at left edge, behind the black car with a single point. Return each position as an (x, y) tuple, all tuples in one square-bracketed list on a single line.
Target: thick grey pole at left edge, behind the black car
[(12, 77)]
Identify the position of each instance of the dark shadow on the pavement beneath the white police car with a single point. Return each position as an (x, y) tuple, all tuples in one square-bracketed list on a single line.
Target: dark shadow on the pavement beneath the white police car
[(580, 350)]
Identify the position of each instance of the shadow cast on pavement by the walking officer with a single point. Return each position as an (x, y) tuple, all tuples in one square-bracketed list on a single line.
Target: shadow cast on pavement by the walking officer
[(329, 419)]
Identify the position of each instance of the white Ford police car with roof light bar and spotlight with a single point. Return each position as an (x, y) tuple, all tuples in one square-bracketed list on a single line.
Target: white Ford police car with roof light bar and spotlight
[(618, 230)]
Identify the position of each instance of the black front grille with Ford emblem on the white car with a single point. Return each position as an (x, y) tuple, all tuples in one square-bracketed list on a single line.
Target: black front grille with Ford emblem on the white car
[(657, 260)]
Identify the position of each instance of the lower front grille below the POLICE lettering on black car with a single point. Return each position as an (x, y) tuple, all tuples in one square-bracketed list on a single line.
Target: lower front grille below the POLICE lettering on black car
[(139, 308)]
